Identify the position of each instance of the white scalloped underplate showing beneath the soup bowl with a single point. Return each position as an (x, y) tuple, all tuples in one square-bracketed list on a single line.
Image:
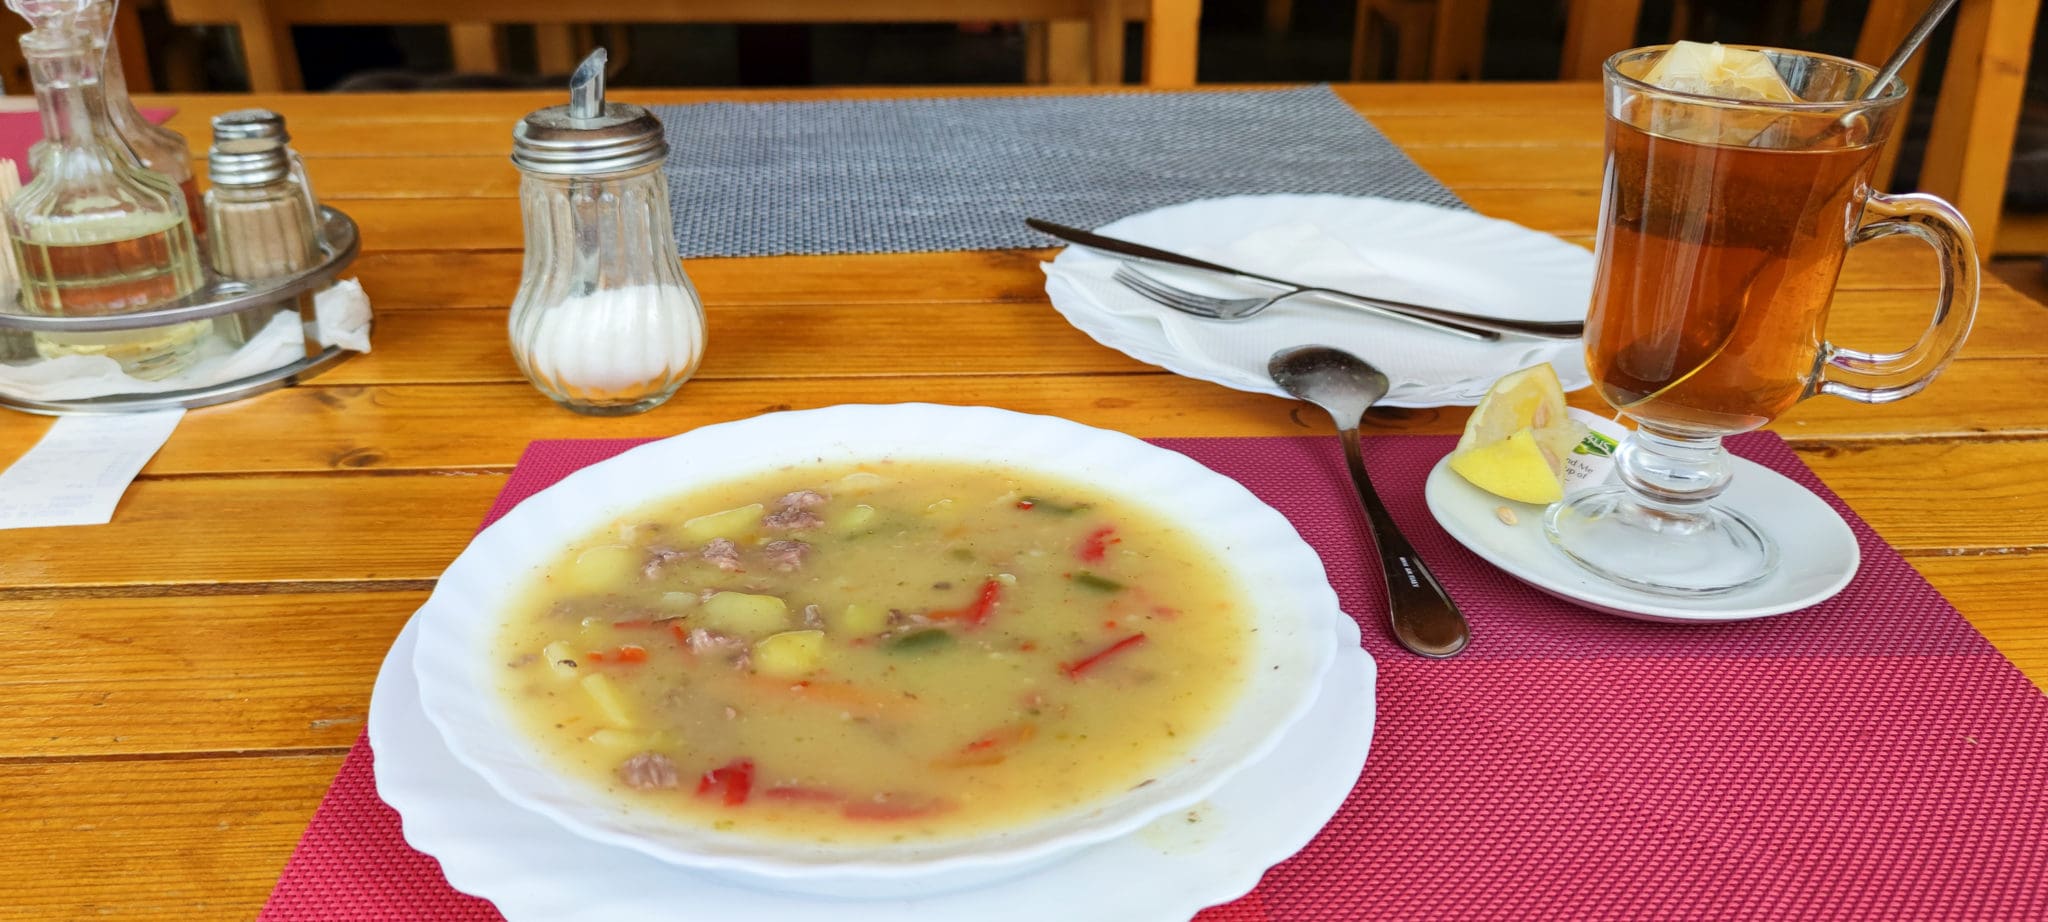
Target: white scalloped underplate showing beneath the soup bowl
[(534, 870)]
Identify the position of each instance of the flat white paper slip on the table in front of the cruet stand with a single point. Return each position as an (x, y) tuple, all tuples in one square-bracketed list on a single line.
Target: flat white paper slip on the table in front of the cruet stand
[(81, 468)]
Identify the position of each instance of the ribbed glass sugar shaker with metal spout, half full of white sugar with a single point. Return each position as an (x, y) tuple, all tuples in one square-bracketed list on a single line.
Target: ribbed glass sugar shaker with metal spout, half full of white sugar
[(605, 321)]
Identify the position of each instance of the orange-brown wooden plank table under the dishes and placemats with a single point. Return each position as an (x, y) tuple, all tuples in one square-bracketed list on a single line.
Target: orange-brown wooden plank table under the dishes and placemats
[(181, 685)]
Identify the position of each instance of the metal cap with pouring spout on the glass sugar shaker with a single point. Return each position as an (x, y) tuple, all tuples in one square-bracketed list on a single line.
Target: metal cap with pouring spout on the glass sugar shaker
[(589, 136)]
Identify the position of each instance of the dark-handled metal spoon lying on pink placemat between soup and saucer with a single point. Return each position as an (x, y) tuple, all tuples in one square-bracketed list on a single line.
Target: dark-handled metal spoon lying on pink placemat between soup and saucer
[(1424, 618)]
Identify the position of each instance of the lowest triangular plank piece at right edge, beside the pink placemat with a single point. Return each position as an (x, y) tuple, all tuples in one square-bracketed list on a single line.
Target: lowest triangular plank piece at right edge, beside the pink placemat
[(2002, 595)]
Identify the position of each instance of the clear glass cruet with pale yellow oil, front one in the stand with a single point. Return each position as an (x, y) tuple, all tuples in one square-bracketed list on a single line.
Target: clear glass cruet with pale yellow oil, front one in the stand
[(97, 233)]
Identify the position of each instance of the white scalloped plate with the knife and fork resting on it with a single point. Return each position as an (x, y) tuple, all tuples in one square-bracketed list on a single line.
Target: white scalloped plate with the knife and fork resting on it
[(1377, 247)]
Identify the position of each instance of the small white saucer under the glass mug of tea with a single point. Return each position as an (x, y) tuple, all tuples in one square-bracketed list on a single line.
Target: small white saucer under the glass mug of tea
[(1818, 550)]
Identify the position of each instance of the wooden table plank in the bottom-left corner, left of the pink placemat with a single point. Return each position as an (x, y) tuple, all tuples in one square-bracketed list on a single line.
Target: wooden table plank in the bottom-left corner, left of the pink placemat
[(155, 839)]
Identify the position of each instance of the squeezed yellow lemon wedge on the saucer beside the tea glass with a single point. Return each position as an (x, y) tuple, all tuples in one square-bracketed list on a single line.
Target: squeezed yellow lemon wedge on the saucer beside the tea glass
[(1517, 442)]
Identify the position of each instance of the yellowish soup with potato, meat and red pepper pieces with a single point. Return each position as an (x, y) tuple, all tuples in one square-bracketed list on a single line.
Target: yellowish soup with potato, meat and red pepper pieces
[(900, 651)]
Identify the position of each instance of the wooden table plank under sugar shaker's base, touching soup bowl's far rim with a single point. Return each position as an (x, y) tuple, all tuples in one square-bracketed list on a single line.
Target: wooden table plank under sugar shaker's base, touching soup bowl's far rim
[(486, 425)]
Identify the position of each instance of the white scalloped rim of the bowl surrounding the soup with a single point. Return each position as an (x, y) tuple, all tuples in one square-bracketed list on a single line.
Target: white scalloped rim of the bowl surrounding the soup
[(1287, 651)]
